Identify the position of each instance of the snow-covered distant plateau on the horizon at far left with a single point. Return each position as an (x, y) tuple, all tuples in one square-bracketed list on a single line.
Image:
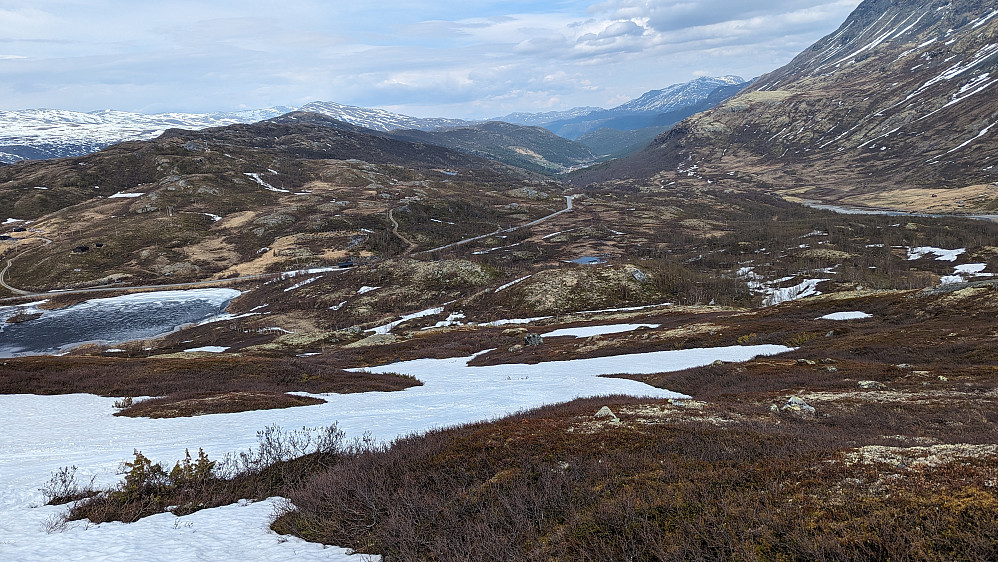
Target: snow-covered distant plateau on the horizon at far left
[(52, 133)]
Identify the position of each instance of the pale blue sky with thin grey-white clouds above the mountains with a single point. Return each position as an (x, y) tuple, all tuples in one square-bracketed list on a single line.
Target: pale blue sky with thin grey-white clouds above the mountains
[(453, 58)]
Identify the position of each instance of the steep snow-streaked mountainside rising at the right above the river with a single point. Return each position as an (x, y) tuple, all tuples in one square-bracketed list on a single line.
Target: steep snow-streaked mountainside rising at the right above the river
[(895, 105)]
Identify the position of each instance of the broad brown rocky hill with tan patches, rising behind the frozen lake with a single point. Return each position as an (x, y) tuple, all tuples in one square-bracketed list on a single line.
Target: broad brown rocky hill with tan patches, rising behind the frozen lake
[(247, 199)]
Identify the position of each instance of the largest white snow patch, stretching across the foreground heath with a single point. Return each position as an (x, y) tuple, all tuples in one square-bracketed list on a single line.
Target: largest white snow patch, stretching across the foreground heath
[(39, 434)]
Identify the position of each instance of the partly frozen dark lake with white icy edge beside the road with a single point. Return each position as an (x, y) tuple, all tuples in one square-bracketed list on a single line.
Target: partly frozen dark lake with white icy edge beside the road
[(108, 320)]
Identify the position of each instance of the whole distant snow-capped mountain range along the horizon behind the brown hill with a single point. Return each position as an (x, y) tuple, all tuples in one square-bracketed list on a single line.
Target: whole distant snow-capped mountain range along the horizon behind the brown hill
[(44, 133)]
